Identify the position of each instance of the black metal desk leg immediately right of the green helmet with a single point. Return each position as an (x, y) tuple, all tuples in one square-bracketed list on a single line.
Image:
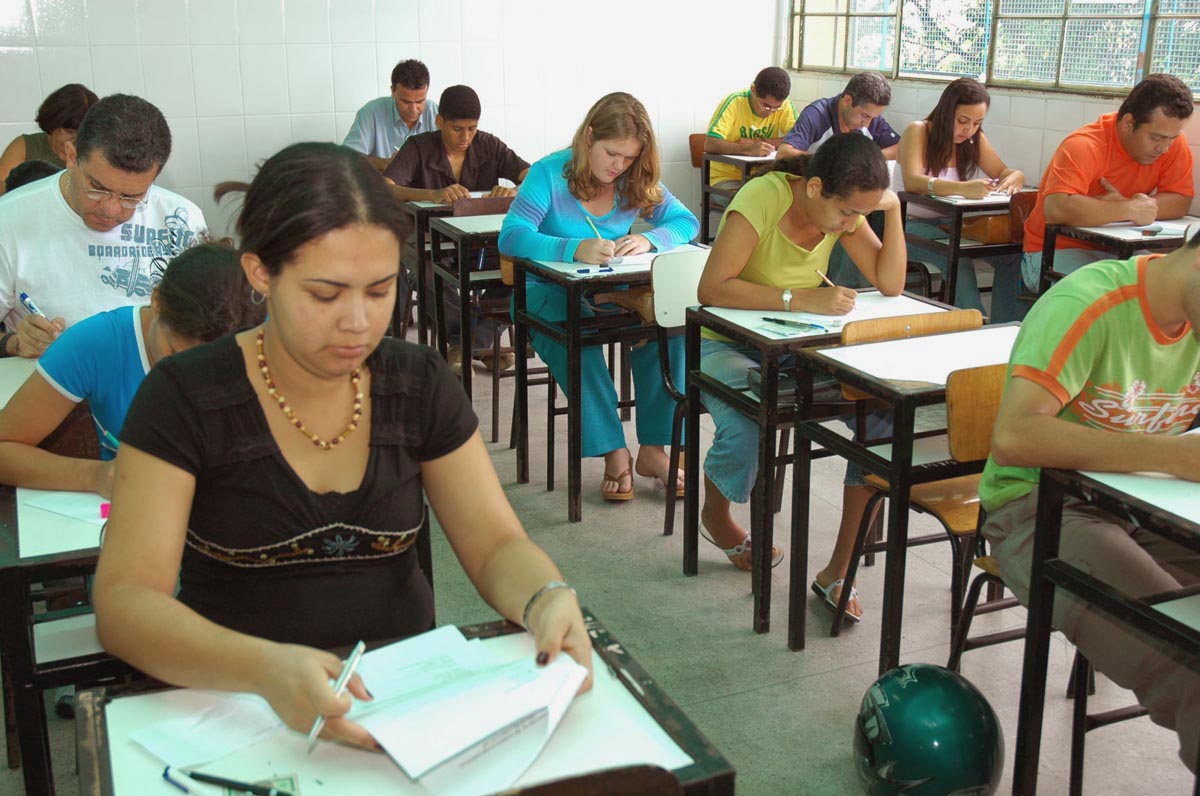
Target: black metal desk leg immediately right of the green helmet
[(1037, 641)]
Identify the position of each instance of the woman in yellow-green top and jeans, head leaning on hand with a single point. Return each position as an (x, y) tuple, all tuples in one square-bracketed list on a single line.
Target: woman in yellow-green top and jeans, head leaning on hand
[(771, 253)]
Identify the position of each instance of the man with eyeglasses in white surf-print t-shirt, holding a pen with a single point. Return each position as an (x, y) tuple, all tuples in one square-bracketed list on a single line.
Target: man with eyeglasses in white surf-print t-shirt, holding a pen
[(83, 242)]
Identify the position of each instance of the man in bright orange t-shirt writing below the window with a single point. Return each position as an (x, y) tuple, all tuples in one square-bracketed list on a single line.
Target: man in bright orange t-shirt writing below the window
[(1133, 165)]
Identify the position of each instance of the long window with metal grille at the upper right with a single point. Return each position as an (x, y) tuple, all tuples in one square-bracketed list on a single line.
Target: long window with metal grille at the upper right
[(1088, 46)]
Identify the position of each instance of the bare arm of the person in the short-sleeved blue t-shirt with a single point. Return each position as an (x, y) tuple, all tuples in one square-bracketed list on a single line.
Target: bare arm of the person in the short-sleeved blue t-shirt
[(29, 417)]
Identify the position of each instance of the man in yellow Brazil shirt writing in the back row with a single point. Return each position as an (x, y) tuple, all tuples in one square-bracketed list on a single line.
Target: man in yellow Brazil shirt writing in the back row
[(749, 123)]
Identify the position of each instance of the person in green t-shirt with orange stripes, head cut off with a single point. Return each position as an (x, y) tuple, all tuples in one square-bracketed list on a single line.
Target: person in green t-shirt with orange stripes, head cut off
[(1106, 376)]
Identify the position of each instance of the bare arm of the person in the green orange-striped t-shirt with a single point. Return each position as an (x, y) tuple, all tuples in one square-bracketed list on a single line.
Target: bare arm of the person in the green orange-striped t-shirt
[(1027, 421)]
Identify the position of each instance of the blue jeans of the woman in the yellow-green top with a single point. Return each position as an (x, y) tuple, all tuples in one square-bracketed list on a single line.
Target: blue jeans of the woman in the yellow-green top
[(733, 463)]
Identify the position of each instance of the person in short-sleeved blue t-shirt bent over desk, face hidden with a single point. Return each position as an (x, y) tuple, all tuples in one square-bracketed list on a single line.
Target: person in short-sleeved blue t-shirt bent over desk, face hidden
[(202, 296)]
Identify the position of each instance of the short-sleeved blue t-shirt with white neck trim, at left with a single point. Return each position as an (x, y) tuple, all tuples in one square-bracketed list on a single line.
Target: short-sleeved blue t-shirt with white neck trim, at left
[(101, 360)]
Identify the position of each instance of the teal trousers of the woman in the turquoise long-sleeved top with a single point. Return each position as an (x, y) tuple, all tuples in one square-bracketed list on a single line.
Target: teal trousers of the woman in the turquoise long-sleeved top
[(602, 428)]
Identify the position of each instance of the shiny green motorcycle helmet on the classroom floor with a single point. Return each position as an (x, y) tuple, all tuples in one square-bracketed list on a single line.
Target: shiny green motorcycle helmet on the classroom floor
[(925, 731)]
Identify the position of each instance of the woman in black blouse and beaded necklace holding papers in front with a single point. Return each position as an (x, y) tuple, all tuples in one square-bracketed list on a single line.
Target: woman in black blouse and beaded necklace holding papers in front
[(278, 474)]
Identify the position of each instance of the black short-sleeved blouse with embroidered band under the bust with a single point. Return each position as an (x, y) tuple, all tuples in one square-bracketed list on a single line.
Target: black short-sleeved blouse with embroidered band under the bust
[(265, 554)]
